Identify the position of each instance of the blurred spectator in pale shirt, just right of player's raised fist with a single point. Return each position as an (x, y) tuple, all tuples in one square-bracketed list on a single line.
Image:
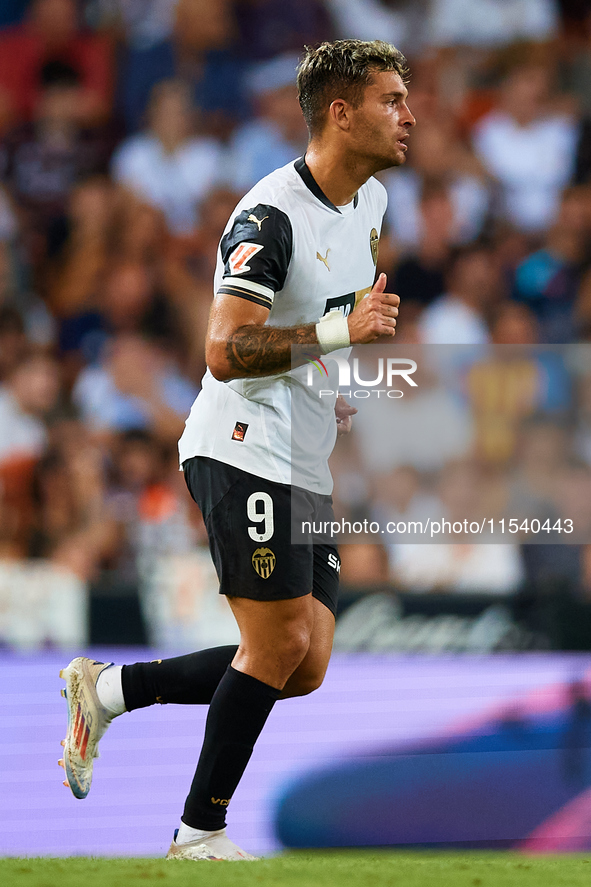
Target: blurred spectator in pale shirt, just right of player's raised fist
[(458, 317)]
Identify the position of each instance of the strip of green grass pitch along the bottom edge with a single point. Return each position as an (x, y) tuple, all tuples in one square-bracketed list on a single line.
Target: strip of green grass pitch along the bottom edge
[(308, 869)]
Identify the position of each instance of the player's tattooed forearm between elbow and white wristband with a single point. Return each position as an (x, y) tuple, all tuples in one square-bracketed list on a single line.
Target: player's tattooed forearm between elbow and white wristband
[(265, 350)]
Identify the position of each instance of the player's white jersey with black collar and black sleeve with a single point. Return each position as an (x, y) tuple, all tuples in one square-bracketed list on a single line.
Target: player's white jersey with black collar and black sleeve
[(287, 247)]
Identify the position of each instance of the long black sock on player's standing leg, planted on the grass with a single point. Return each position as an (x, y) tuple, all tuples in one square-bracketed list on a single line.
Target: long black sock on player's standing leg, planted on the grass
[(237, 714)]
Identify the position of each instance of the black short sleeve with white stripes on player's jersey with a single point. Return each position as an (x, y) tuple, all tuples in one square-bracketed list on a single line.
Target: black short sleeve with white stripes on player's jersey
[(256, 253)]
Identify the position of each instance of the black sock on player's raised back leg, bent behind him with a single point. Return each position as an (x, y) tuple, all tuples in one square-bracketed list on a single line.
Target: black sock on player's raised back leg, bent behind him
[(185, 680)]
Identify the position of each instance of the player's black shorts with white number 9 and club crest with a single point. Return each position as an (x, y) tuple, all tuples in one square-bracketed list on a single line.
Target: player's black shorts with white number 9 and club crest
[(248, 520)]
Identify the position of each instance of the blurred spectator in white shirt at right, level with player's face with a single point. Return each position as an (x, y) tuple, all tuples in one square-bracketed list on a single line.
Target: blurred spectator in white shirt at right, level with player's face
[(528, 146)]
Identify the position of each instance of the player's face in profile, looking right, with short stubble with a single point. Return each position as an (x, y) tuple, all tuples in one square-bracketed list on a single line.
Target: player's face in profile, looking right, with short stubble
[(382, 123)]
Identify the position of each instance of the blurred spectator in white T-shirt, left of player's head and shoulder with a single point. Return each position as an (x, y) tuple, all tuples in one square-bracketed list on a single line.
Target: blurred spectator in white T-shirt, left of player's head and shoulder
[(169, 165)]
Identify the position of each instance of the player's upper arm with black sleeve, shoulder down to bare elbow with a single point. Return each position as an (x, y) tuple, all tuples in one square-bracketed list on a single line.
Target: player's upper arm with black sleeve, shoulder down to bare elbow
[(256, 253)]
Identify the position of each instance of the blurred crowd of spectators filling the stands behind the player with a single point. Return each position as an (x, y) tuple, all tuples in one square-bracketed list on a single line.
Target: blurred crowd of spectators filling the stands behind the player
[(128, 131)]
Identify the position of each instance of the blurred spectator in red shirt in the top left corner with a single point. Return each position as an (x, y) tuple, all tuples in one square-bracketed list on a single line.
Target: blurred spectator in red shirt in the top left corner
[(51, 33)]
